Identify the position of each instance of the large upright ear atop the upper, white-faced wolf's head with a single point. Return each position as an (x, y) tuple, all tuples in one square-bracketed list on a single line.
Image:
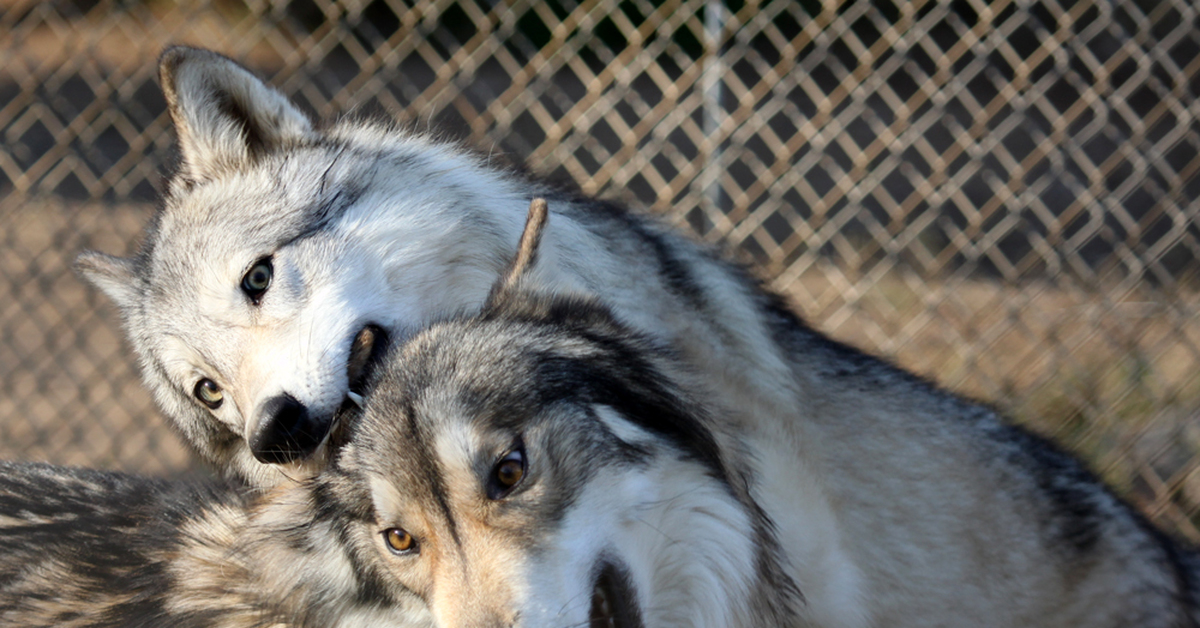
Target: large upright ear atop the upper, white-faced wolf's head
[(224, 115)]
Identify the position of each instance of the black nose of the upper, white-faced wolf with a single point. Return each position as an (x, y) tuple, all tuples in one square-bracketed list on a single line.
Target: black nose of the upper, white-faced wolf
[(286, 432)]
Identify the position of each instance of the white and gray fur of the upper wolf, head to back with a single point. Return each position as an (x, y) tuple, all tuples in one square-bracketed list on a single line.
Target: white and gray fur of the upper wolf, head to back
[(893, 504)]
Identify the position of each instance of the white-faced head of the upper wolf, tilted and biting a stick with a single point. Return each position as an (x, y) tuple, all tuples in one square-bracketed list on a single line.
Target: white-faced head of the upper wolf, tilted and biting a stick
[(285, 256)]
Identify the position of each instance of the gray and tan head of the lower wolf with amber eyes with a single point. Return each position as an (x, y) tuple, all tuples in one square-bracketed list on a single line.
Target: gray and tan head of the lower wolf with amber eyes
[(537, 466)]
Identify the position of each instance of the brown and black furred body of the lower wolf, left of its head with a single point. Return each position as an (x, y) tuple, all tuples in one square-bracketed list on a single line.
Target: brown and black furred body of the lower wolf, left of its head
[(94, 549)]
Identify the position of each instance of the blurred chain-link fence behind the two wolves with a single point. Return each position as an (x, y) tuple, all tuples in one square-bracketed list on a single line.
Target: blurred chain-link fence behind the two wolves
[(1001, 196)]
